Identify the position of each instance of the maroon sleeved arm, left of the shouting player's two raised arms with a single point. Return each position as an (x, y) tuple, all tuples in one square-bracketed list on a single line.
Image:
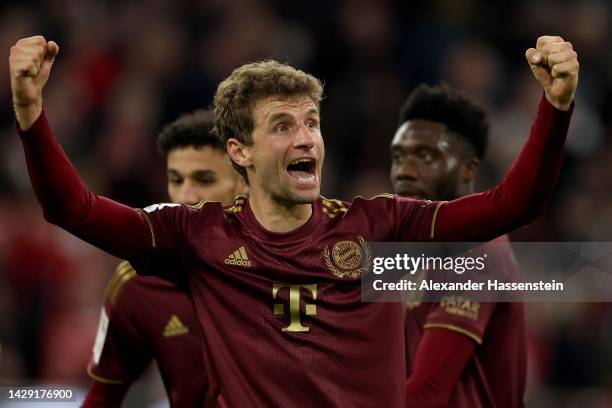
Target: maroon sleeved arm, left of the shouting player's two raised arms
[(66, 201)]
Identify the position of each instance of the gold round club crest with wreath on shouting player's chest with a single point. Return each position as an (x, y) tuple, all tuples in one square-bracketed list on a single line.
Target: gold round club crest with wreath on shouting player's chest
[(348, 259)]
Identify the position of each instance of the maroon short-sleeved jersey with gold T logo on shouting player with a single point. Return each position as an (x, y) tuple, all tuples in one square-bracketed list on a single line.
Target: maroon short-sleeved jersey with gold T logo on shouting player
[(281, 313)]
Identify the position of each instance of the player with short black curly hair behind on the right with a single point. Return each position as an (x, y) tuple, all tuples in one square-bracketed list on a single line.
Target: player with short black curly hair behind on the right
[(459, 352)]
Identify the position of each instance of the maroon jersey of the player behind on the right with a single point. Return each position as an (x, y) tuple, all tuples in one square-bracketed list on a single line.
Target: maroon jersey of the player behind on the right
[(496, 374)]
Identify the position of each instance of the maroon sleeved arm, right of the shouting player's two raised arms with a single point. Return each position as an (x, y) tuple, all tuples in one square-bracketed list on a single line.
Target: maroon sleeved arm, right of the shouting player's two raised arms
[(521, 196)]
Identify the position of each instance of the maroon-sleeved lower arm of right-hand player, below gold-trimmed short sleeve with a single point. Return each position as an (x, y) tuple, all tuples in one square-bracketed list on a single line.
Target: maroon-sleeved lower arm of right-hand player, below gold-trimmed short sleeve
[(441, 358)]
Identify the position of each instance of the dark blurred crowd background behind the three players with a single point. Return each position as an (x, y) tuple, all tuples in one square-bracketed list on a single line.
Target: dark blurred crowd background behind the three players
[(127, 67)]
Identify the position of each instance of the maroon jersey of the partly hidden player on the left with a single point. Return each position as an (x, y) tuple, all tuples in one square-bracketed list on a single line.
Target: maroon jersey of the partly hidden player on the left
[(145, 317)]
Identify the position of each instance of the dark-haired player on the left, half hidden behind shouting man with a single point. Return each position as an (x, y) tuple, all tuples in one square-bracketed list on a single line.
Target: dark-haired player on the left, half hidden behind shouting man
[(145, 317)]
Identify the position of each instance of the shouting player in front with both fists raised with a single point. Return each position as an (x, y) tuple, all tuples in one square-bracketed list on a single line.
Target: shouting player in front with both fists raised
[(275, 279)]
